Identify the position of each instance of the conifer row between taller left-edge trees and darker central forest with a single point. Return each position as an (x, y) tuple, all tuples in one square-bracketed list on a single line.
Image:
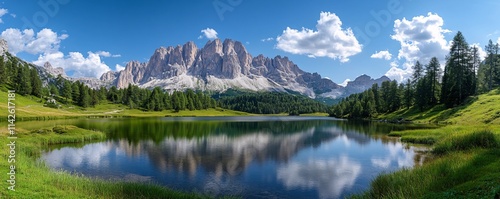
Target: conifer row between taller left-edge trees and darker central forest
[(133, 97)]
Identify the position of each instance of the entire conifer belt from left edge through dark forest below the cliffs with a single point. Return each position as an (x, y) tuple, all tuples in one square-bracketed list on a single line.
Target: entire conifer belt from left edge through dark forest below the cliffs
[(24, 78)]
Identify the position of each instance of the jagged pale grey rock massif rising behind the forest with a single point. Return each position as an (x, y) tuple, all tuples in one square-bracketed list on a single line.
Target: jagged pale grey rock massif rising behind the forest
[(218, 66)]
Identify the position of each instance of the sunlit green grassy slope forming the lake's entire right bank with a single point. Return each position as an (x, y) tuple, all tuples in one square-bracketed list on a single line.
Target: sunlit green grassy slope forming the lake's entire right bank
[(464, 156)]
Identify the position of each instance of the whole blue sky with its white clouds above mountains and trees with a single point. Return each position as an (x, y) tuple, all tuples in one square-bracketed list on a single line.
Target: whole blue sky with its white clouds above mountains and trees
[(338, 39)]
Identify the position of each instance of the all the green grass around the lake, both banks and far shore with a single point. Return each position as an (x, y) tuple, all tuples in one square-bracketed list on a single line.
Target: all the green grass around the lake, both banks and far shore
[(463, 162)]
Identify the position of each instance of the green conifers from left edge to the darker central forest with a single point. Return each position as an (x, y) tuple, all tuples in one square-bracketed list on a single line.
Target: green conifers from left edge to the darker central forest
[(25, 79)]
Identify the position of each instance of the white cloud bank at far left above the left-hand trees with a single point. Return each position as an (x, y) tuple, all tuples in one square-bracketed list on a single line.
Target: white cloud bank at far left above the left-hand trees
[(46, 44)]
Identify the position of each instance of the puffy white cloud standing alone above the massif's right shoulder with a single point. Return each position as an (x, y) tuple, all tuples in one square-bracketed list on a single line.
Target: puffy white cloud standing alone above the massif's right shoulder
[(329, 40)]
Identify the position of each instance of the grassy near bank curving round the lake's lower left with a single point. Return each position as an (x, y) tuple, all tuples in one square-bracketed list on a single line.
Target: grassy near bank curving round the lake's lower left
[(35, 180)]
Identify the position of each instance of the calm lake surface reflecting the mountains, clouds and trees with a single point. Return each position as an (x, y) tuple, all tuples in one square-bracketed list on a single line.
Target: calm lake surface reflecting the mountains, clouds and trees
[(252, 157)]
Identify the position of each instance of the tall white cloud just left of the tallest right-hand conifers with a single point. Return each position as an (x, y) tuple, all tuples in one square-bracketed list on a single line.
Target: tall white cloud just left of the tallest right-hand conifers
[(421, 38)]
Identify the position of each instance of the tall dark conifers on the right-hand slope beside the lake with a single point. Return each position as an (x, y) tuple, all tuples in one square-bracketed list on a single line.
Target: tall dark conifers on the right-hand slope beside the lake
[(464, 75)]
